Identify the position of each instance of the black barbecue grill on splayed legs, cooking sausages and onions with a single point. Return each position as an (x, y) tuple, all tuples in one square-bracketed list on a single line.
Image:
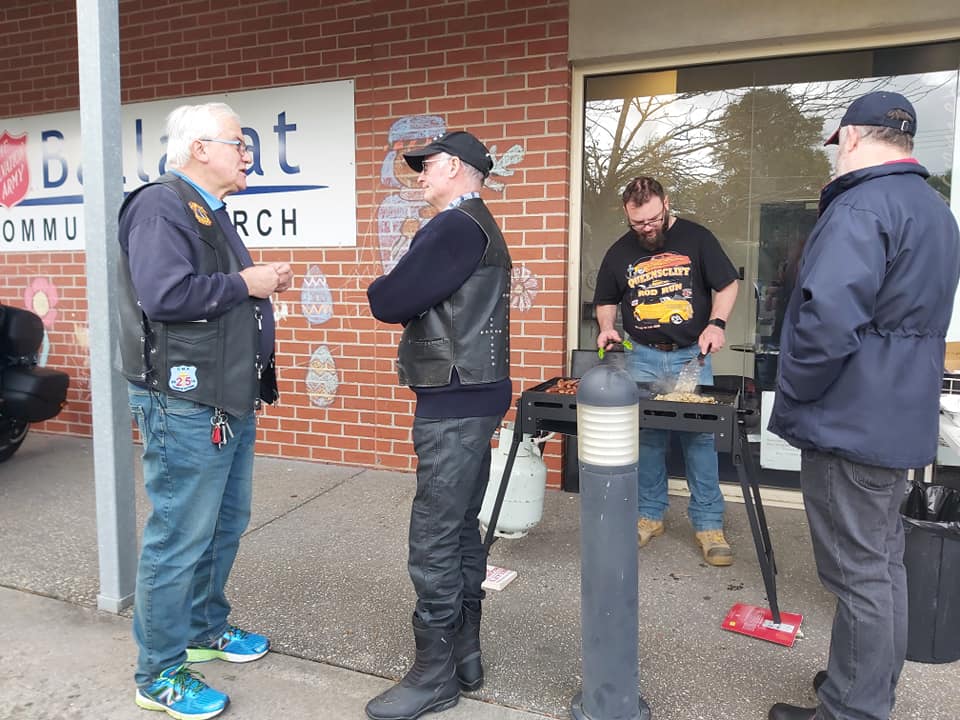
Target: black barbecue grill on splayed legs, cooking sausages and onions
[(542, 409)]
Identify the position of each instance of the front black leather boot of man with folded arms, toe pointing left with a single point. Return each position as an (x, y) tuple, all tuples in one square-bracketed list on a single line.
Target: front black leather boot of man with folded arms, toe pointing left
[(429, 686)]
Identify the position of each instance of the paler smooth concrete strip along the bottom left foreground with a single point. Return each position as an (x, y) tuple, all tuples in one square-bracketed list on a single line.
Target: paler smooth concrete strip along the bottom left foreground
[(65, 662)]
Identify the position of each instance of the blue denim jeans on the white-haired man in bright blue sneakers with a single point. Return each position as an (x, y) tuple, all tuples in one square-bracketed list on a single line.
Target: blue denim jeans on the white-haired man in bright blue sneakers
[(200, 505)]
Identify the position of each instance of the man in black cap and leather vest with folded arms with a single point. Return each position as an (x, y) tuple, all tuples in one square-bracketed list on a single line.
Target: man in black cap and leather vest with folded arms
[(451, 292)]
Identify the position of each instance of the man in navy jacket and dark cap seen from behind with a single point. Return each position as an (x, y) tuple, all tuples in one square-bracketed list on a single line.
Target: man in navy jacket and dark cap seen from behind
[(861, 367)]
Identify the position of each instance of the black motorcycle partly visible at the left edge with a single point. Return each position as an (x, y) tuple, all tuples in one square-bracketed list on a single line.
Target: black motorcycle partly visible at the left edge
[(28, 393)]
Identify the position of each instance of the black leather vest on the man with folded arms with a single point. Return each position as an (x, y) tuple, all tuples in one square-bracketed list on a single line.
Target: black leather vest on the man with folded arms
[(470, 330)]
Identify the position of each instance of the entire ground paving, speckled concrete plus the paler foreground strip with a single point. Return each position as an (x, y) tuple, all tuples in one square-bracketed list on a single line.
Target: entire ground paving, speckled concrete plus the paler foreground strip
[(322, 571)]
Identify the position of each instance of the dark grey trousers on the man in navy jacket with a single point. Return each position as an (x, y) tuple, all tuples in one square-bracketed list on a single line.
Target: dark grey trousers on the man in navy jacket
[(854, 516)]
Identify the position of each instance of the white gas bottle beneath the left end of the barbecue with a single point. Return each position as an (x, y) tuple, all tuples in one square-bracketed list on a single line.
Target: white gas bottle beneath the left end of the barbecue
[(523, 504)]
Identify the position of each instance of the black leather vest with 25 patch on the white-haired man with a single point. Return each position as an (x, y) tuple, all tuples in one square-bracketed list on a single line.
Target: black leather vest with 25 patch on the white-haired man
[(212, 362)]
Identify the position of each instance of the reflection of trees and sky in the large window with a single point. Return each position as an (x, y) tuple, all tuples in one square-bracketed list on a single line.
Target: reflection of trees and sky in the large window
[(721, 154)]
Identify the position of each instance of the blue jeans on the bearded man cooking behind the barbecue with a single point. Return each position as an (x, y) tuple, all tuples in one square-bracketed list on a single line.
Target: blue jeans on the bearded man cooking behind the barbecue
[(705, 509)]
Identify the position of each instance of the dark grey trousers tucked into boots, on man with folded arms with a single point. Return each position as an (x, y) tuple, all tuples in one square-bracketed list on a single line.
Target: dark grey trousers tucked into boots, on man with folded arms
[(448, 561)]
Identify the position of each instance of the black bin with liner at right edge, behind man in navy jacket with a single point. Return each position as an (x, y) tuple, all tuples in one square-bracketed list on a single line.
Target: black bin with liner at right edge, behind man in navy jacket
[(932, 559)]
